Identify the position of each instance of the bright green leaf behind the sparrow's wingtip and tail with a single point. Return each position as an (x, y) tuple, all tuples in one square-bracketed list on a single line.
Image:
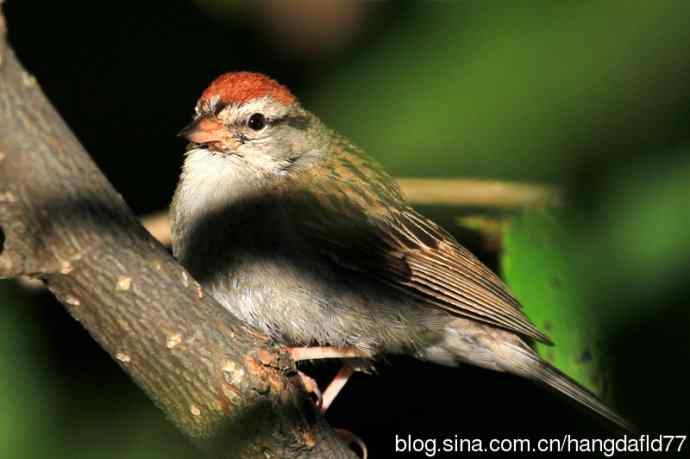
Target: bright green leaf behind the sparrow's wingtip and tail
[(538, 271)]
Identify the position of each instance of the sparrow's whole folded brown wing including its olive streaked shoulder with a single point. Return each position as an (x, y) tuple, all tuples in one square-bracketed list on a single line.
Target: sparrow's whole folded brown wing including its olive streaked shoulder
[(358, 219)]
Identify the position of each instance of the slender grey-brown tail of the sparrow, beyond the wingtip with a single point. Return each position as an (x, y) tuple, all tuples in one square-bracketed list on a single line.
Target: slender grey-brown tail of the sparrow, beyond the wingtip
[(556, 379)]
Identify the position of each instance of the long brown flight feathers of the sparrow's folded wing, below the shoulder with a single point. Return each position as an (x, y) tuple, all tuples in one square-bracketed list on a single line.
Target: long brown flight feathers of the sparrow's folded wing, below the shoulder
[(430, 267)]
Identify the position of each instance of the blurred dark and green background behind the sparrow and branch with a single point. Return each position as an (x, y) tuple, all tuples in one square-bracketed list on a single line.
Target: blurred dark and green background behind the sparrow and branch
[(592, 97)]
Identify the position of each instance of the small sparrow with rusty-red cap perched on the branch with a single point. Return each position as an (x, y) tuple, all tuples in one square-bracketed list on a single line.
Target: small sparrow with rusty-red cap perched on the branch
[(298, 232)]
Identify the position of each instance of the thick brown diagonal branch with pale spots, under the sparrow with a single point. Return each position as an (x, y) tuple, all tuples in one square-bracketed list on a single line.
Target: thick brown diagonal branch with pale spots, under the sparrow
[(62, 221)]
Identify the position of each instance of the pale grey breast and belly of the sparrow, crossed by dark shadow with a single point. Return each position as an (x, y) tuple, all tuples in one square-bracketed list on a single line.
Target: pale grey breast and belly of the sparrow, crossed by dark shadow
[(246, 254)]
